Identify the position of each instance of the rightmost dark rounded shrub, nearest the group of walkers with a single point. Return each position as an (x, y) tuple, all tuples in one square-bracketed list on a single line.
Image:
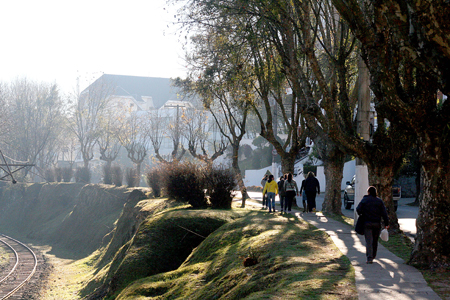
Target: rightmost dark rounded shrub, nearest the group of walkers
[(221, 183)]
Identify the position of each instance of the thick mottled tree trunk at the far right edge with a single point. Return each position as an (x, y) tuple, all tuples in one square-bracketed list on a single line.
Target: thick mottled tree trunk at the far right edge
[(432, 245)]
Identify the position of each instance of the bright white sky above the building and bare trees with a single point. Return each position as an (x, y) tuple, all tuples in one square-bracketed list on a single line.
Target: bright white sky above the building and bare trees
[(60, 40)]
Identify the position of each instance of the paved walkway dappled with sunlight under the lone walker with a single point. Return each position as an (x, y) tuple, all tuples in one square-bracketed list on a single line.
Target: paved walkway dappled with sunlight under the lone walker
[(387, 278)]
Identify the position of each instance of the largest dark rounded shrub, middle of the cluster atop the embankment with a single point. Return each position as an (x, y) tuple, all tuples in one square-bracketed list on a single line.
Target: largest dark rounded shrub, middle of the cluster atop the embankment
[(184, 182)]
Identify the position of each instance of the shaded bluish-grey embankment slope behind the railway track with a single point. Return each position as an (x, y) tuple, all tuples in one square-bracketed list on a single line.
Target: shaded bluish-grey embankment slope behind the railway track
[(73, 217)]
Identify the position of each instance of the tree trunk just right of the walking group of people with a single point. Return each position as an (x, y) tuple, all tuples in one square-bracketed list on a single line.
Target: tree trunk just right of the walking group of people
[(333, 168)]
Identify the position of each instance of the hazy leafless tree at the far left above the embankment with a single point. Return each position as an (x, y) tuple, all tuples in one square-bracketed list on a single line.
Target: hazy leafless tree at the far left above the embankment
[(36, 114)]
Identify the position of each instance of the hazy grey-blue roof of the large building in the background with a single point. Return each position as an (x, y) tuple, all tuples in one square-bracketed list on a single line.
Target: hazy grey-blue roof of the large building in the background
[(159, 89)]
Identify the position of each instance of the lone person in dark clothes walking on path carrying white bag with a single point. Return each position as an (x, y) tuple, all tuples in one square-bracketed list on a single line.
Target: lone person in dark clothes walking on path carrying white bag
[(372, 209)]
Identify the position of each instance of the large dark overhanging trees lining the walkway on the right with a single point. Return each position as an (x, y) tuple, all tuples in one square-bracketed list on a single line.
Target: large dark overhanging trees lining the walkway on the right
[(249, 52)]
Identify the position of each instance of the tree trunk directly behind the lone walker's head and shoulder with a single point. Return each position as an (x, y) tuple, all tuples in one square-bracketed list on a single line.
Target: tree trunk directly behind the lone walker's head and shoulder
[(381, 177)]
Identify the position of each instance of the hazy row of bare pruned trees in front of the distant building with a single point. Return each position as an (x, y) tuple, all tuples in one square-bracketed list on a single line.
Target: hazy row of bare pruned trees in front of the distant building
[(41, 127)]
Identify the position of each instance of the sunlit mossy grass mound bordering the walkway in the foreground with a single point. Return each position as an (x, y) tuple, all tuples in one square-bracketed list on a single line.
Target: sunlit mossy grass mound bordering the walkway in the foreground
[(296, 261)]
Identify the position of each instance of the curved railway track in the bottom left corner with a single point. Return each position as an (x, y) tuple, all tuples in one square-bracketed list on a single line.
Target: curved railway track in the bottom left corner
[(21, 267)]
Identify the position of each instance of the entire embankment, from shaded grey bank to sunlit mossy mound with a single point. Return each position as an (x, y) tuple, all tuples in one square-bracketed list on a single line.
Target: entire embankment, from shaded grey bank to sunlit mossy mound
[(141, 248)]
